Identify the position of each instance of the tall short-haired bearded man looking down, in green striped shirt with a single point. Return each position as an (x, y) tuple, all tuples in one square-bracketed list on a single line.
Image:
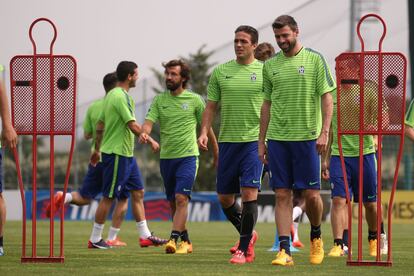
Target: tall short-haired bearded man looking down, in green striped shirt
[(296, 85)]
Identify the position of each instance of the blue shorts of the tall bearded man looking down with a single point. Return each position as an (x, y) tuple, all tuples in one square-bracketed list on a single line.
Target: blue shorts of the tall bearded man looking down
[(294, 165)]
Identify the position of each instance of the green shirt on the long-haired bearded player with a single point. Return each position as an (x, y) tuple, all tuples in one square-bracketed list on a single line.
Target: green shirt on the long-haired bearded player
[(178, 117)]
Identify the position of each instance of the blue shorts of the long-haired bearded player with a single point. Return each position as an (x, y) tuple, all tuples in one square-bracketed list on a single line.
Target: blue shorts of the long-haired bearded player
[(179, 175)]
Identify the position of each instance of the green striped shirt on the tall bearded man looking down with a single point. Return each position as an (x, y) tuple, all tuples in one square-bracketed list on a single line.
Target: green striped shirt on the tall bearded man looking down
[(295, 85)]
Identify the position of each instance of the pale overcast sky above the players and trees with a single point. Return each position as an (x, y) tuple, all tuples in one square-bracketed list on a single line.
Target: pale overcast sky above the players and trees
[(100, 33)]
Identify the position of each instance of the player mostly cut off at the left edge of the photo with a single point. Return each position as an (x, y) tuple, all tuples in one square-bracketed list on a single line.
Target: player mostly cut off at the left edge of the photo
[(8, 139)]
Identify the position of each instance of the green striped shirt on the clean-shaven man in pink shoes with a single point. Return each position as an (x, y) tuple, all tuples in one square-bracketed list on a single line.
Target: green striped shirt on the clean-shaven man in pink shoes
[(238, 88)]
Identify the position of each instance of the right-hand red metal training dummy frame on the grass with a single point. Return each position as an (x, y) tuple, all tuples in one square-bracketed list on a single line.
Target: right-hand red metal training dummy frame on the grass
[(361, 132)]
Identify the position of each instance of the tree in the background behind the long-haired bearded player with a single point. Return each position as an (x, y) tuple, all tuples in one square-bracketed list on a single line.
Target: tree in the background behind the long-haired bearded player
[(200, 74)]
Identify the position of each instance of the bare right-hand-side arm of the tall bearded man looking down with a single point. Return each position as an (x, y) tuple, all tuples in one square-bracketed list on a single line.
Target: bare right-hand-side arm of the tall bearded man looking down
[(327, 109)]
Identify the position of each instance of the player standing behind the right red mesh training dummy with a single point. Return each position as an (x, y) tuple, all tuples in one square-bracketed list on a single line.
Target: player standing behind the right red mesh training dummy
[(350, 146)]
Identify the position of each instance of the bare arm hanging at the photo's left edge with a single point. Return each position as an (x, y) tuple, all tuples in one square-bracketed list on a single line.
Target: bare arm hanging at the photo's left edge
[(8, 134)]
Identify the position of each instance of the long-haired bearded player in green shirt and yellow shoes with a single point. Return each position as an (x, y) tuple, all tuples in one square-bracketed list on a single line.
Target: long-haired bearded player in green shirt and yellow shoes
[(178, 112)]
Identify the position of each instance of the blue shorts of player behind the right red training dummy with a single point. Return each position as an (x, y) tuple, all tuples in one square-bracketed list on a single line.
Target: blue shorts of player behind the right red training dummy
[(369, 193)]
